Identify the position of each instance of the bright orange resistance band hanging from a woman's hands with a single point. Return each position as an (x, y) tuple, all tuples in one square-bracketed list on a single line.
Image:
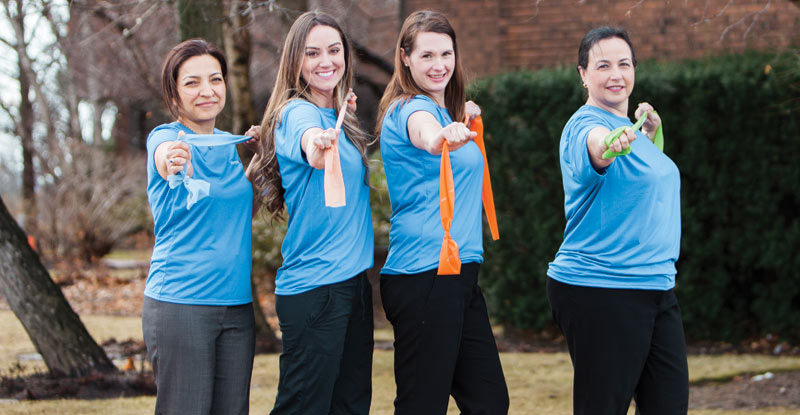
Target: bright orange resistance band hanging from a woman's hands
[(449, 261)]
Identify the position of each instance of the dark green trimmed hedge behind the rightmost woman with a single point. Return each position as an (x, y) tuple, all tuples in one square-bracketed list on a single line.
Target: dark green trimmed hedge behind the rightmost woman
[(731, 125)]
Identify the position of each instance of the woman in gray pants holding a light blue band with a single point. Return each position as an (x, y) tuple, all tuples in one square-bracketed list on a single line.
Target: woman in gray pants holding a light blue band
[(197, 315)]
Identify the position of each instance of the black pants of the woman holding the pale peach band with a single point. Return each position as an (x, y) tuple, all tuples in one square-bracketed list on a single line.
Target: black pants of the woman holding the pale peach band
[(326, 364)]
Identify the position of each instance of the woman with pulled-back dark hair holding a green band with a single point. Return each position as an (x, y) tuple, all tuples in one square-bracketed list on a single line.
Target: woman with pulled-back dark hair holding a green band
[(610, 286)]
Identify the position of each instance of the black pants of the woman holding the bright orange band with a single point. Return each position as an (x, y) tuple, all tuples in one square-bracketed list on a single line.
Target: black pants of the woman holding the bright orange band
[(443, 344)]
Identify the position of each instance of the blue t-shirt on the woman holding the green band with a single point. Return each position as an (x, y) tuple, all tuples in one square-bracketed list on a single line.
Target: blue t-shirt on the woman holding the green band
[(624, 224)]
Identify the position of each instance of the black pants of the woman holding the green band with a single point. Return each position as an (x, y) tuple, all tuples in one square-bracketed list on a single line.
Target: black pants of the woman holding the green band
[(624, 344)]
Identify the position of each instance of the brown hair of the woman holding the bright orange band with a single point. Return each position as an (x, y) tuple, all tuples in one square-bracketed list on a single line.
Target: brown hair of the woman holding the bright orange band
[(402, 85)]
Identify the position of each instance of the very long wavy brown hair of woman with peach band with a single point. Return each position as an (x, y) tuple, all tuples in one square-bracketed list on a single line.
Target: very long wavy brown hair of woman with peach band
[(289, 86)]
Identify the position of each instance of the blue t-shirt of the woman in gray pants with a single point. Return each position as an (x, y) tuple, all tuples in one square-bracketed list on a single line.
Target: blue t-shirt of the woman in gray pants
[(202, 255)]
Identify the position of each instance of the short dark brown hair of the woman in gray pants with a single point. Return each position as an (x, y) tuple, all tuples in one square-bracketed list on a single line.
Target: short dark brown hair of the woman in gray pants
[(175, 58)]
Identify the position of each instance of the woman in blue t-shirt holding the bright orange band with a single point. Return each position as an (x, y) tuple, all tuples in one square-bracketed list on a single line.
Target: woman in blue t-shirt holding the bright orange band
[(443, 340)]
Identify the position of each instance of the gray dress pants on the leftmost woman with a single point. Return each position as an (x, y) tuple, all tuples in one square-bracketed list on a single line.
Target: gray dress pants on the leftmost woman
[(202, 356)]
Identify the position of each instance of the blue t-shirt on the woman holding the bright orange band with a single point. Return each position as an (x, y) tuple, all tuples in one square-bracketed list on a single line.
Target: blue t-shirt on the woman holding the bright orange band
[(412, 176)]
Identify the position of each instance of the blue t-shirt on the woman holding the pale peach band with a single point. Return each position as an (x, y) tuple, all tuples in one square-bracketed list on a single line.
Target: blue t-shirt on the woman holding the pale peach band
[(323, 245)]
